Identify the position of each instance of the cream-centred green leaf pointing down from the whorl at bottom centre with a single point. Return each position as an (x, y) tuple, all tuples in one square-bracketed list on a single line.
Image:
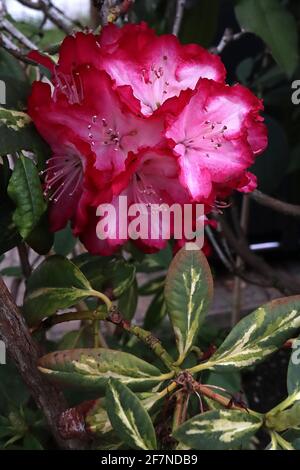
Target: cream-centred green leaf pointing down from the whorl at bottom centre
[(129, 418)]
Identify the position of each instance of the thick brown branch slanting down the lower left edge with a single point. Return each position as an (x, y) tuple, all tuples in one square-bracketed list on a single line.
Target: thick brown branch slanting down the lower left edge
[(25, 353)]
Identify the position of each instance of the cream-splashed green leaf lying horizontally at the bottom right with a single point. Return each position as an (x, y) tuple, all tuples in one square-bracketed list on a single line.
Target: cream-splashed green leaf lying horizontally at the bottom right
[(218, 430)]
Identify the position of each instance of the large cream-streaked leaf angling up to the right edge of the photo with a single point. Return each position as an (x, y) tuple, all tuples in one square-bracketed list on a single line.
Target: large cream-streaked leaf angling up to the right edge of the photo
[(258, 335)]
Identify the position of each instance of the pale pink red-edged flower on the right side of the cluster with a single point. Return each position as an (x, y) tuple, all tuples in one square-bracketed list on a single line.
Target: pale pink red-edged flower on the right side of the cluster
[(216, 137)]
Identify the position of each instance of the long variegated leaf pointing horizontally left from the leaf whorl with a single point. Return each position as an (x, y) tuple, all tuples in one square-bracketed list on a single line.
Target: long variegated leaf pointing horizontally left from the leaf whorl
[(90, 369)]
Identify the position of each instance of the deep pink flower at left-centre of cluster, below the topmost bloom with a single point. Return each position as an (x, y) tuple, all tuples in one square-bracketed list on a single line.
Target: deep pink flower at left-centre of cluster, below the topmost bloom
[(87, 105)]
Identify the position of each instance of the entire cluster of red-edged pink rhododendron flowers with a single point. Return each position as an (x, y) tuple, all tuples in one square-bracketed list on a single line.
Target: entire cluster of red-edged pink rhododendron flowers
[(131, 113)]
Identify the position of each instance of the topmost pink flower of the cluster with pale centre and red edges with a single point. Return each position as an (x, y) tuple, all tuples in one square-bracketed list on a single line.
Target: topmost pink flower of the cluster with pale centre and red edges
[(154, 68)]
